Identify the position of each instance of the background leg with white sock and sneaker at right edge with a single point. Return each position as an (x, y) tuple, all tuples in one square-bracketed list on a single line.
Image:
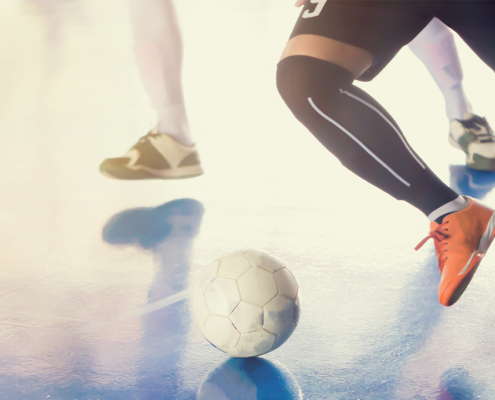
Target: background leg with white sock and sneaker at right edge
[(435, 47)]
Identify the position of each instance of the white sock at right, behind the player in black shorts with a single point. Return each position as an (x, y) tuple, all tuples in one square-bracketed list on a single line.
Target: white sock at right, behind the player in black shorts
[(435, 47)]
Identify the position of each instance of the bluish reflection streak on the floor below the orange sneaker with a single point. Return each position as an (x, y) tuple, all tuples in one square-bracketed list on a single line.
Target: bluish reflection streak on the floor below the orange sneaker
[(418, 315)]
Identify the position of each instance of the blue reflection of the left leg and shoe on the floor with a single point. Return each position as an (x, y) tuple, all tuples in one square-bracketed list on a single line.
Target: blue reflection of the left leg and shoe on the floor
[(167, 231)]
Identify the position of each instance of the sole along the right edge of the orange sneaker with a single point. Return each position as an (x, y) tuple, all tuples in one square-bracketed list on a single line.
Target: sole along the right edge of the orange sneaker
[(472, 265)]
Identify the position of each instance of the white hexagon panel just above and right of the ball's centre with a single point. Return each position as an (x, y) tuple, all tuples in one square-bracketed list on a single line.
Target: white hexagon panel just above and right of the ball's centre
[(257, 286)]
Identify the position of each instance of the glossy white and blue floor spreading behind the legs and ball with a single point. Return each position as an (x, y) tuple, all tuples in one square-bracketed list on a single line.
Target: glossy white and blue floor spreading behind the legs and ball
[(96, 273)]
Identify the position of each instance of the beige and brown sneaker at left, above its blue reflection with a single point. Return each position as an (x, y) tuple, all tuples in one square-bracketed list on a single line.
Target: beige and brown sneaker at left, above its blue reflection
[(155, 156)]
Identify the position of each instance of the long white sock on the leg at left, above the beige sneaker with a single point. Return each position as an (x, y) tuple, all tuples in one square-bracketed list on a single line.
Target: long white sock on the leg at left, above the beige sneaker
[(158, 48)]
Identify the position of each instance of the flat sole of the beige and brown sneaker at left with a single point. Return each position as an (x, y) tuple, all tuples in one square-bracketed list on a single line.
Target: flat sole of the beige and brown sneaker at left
[(148, 173)]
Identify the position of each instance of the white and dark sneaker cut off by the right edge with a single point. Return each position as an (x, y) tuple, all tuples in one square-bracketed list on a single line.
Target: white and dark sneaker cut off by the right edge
[(474, 136)]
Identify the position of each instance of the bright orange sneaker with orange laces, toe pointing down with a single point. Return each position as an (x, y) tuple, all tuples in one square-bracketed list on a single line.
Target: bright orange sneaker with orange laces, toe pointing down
[(461, 242)]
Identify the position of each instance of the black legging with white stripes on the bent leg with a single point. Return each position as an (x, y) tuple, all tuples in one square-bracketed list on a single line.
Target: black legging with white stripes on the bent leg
[(358, 131)]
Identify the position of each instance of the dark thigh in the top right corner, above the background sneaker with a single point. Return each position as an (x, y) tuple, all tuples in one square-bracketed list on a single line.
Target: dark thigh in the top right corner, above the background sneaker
[(474, 21)]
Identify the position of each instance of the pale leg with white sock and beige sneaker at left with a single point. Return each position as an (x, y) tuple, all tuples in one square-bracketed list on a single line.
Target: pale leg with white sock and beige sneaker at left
[(168, 151)]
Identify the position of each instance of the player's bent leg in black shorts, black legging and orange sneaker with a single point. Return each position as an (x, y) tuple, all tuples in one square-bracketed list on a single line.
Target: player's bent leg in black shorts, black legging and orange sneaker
[(315, 79)]
